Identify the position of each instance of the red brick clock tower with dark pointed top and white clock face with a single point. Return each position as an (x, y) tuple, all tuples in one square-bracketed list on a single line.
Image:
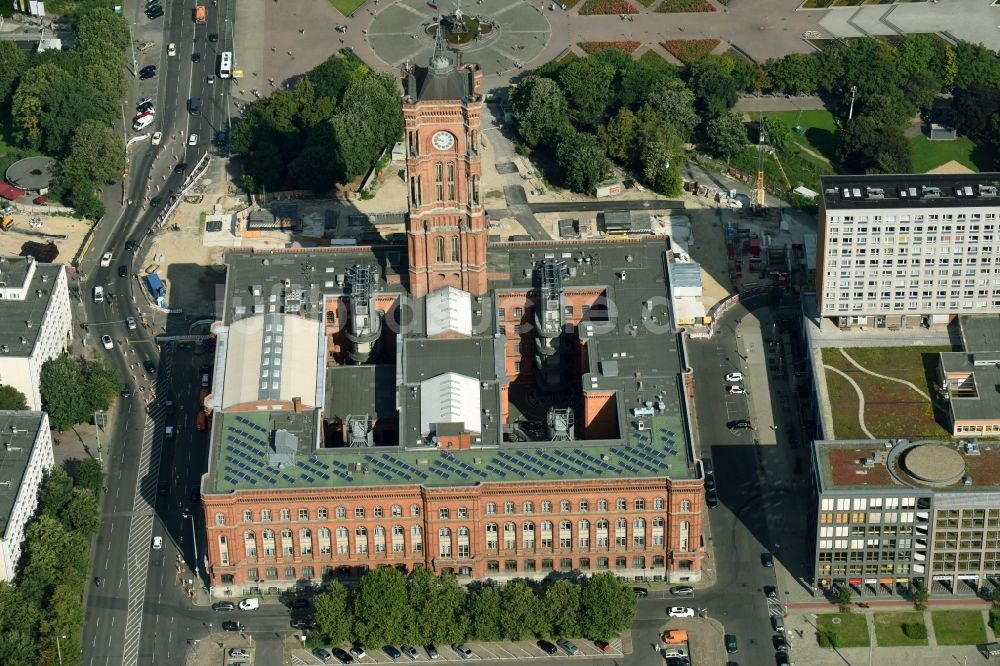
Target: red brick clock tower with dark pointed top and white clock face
[(446, 229)]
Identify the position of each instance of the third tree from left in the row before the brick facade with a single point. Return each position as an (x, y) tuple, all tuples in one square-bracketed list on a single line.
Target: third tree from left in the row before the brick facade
[(437, 608)]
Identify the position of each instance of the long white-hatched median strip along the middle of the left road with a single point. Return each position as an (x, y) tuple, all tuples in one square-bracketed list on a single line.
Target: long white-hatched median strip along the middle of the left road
[(141, 526)]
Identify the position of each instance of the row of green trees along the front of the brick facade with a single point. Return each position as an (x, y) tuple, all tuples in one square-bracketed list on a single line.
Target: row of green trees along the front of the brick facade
[(387, 608)]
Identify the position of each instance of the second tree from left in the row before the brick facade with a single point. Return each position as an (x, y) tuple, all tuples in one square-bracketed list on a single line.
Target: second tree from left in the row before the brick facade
[(381, 612)]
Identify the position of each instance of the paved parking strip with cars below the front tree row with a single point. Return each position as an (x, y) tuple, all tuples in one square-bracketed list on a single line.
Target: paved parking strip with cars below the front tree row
[(500, 651)]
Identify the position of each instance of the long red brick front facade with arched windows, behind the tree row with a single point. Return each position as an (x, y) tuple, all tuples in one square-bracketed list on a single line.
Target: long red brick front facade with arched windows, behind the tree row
[(652, 532)]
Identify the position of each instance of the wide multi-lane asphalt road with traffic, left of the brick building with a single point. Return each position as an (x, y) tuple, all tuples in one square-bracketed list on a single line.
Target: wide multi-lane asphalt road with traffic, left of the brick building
[(140, 609)]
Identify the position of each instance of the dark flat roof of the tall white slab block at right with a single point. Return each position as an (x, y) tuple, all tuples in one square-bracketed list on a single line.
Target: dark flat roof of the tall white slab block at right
[(911, 191)]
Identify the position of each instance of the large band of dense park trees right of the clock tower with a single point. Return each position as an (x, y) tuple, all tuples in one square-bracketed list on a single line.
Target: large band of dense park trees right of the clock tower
[(574, 117)]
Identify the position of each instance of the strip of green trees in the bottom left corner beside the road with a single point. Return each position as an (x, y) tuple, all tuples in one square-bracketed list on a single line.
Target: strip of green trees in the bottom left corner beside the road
[(46, 599)]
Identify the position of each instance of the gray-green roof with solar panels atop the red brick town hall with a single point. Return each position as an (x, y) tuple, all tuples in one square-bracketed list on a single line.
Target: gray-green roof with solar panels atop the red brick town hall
[(637, 343)]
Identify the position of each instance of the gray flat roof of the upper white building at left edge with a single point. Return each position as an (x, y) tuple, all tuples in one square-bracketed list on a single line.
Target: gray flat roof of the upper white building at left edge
[(21, 320)]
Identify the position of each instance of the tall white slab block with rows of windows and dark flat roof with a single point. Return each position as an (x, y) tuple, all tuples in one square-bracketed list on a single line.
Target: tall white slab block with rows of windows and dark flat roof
[(903, 251)]
